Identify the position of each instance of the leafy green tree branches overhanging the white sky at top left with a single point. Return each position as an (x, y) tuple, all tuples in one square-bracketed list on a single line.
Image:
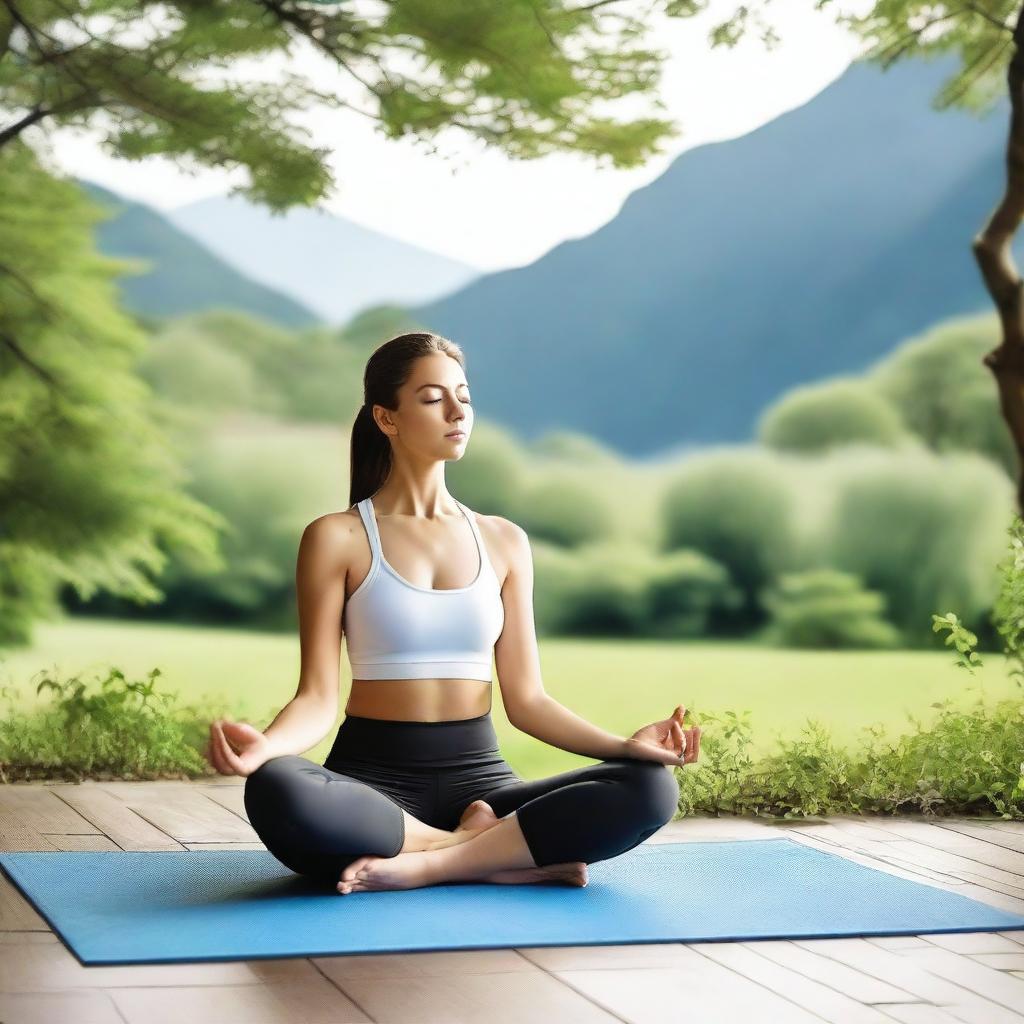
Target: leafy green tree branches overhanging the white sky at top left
[(525, 77)]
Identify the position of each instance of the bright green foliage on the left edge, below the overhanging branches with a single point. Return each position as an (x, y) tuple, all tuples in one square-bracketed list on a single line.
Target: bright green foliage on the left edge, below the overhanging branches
[(91, 490)]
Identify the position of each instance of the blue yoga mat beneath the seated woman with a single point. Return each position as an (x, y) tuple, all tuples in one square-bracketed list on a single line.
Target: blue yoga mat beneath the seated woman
[(226, 906)]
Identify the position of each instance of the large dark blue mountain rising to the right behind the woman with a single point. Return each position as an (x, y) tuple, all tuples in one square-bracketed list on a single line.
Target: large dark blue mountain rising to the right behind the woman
[(809, 247)]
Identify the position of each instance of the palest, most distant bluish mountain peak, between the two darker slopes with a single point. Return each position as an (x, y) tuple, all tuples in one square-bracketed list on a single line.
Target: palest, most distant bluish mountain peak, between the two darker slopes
[(329, 264)]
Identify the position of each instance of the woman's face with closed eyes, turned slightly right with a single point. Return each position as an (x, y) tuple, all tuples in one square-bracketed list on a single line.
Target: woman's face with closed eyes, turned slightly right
[(435, 402)]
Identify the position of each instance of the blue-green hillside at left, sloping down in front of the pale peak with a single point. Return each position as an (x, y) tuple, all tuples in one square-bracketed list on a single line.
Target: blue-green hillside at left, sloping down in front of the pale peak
[(187, 278)]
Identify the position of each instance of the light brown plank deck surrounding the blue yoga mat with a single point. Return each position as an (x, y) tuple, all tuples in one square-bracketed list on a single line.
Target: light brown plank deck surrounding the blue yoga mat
[(976, 977)]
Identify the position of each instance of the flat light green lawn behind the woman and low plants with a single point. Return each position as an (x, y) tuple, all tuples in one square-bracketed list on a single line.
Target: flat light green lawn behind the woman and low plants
[(620, 687)]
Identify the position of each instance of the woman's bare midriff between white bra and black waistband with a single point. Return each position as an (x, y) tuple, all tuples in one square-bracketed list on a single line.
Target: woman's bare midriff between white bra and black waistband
[(419, 700)]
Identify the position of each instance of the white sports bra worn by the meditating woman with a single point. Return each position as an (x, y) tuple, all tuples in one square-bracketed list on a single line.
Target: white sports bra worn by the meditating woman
[(396, 630)]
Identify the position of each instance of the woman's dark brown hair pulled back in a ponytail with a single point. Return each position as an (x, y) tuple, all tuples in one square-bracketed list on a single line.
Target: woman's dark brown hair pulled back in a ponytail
[(388, 369)]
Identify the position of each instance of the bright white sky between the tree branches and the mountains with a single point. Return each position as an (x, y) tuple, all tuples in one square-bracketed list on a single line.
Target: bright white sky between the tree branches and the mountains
[(477, 205)]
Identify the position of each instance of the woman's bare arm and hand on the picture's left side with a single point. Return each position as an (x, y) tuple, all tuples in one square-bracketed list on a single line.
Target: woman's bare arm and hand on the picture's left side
[(320, 584)]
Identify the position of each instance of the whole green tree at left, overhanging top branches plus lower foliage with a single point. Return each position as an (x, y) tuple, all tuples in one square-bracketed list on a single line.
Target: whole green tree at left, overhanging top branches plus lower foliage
[(91, 493)]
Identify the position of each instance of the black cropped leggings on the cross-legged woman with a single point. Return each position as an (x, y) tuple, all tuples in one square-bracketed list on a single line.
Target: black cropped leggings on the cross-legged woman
[(317, 820)]
